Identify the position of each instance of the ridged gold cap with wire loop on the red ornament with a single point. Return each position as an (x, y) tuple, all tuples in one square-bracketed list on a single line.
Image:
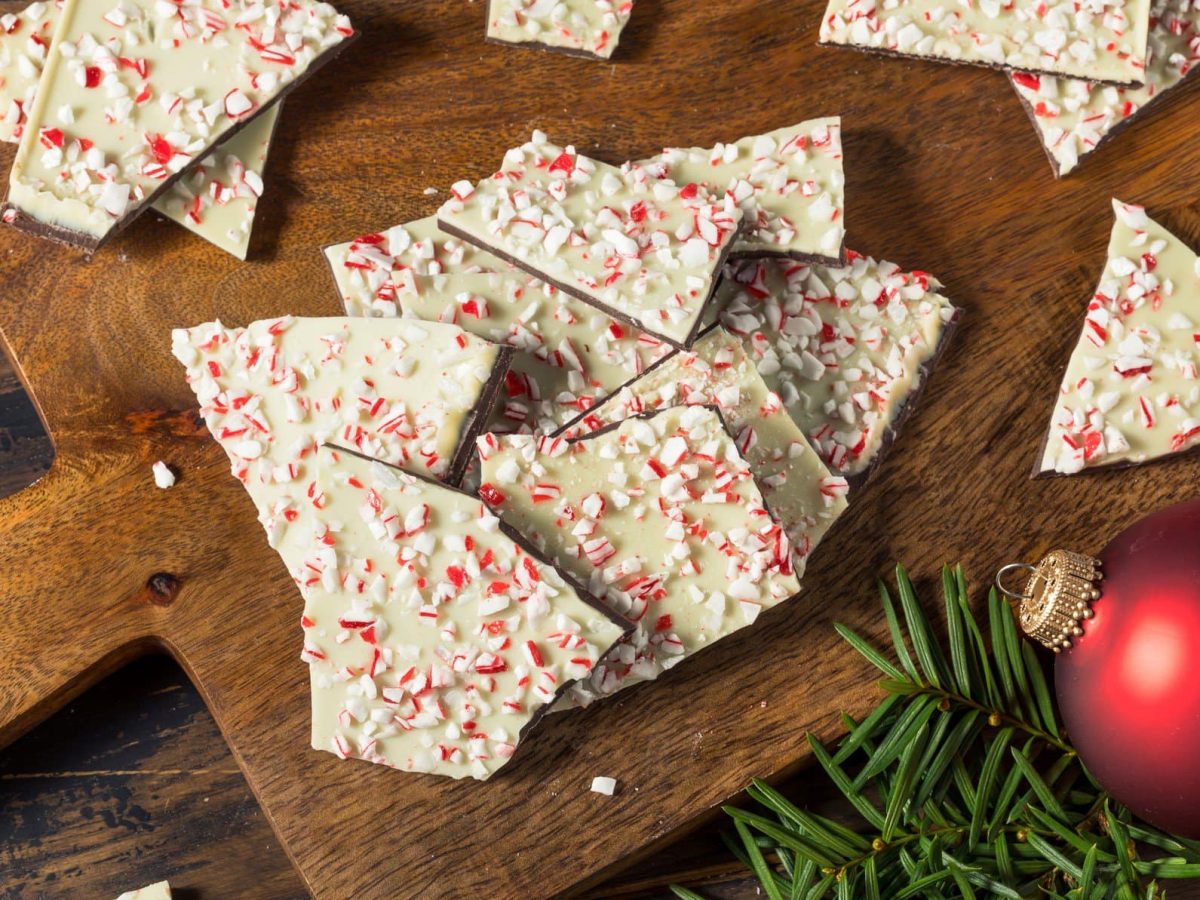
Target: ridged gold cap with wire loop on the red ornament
[(1057, 598)]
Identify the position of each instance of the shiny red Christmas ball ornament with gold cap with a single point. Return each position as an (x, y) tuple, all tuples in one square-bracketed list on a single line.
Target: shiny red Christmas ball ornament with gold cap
[(1129, 670)]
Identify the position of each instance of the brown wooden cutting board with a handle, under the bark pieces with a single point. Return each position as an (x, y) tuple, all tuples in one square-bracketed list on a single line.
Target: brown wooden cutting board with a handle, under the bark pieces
[(945, 175)]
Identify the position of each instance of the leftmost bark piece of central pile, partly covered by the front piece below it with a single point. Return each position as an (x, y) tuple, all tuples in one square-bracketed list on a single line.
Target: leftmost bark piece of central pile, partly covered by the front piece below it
[(413, 394)]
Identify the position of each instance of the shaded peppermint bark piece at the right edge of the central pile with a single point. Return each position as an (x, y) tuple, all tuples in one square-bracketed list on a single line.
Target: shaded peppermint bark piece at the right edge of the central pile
[(844, 347)]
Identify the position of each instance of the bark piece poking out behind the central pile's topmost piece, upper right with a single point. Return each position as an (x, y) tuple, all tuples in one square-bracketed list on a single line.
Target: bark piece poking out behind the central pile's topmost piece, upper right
[(789, 184)]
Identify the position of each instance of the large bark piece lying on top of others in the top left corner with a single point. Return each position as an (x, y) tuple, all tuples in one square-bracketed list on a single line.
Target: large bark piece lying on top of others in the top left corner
[(131, 97)]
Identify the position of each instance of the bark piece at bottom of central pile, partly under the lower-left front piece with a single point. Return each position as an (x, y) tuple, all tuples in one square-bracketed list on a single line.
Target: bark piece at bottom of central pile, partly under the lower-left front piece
[(662, 519)]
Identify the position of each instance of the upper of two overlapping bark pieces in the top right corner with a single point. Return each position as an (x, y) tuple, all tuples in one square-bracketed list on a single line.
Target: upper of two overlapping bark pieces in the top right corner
[(1095, 40)]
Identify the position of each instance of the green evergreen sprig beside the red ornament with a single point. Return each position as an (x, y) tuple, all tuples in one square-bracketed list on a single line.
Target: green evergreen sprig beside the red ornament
[(963, 782)]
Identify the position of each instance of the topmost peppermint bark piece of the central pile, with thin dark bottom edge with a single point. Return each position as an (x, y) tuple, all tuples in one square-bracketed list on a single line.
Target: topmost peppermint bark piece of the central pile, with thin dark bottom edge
[(640, 249)]
